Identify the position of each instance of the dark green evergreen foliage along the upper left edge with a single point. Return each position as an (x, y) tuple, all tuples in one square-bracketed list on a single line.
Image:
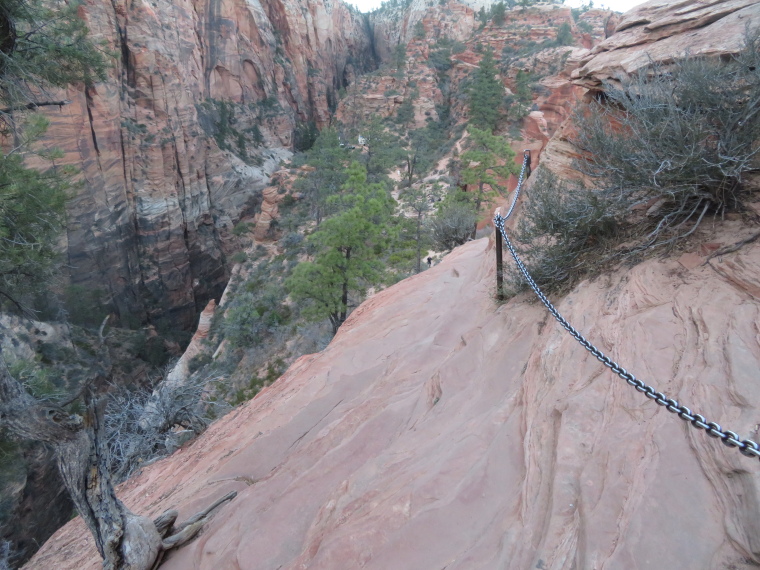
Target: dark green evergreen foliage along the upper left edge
[(40, 48)]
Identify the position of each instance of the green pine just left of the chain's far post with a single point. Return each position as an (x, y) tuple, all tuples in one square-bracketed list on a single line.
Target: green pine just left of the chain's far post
[(481, 165)]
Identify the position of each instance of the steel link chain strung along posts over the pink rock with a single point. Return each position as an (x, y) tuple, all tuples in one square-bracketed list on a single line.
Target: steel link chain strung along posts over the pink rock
[(698, 421)]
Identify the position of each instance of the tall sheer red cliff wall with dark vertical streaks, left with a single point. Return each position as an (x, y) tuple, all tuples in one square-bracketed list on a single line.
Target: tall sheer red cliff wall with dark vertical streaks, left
[(150, 222)]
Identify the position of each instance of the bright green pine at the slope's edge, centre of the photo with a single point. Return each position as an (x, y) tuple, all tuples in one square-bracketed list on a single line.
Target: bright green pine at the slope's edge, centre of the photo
[(347, 248)]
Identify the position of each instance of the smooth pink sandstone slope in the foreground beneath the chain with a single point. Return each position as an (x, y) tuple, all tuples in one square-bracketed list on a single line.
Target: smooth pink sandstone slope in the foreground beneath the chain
[(441, 429)]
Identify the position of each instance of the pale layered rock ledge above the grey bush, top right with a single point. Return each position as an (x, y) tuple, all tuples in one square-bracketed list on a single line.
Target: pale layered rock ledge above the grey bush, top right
[(659, 31)]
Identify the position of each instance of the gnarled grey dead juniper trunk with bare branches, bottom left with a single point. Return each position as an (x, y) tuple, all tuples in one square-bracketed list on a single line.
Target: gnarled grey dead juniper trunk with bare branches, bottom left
[(125, 541)]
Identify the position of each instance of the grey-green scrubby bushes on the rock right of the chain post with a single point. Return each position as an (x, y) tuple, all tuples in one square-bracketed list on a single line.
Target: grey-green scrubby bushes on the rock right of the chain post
[(662, 150)]
